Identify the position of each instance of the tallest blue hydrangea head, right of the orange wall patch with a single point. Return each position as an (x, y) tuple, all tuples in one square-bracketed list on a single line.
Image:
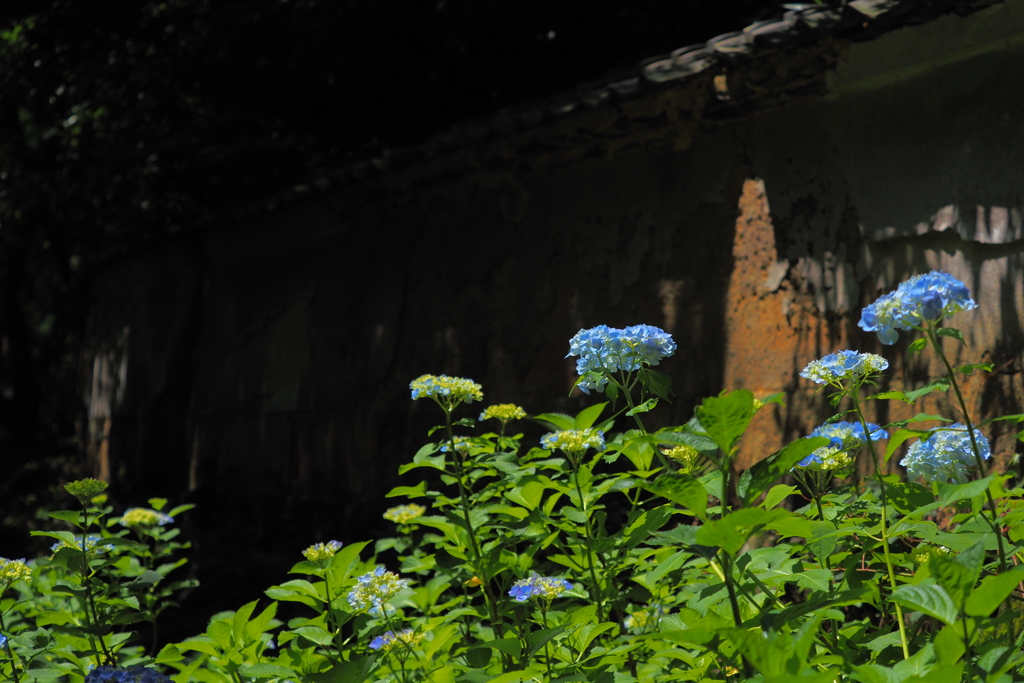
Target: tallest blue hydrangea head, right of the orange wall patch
[(928, 297)]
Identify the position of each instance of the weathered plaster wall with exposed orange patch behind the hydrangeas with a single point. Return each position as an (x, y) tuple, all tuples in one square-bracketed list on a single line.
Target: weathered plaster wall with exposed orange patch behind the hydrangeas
[(268, 364)]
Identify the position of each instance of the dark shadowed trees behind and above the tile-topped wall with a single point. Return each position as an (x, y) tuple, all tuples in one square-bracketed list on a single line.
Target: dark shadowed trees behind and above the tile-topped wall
[(121, 122)]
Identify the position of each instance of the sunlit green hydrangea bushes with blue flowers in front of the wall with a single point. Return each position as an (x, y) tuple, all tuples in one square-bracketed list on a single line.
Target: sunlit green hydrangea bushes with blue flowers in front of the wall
[(605, 553)]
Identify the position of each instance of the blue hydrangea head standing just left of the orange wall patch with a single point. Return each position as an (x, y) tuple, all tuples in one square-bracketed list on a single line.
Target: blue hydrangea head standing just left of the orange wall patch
[(608, 350)]
